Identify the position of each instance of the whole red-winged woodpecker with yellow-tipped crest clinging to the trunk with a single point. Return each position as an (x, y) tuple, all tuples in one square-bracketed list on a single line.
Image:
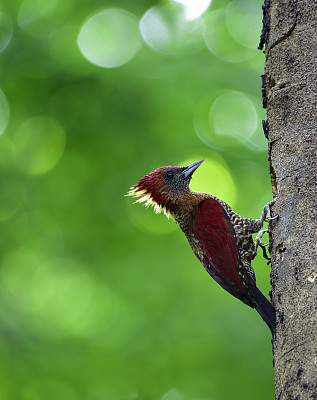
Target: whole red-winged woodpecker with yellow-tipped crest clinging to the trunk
[(220, 238)]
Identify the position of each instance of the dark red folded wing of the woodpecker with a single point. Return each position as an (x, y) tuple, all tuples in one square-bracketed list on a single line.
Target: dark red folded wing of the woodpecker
[(215, 234)]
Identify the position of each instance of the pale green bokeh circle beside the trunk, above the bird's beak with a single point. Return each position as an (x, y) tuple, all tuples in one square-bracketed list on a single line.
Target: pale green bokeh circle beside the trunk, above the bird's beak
[(233, 114)]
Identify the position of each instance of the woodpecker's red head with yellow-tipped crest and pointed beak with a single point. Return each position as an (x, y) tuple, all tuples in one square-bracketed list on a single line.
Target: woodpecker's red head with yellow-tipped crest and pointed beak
[(165, 188)]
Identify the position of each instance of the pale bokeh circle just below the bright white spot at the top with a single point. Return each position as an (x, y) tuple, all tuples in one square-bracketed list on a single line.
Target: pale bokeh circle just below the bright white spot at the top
[(165, 29)]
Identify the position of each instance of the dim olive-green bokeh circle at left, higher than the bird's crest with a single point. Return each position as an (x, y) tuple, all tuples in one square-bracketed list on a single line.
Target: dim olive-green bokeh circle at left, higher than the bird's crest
[(38, 145)]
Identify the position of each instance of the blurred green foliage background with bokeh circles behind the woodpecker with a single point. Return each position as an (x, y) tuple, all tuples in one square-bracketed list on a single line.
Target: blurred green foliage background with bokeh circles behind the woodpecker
[(100, 298)]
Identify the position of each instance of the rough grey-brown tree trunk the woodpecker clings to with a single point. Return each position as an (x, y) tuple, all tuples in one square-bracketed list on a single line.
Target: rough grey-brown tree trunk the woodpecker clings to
[(290, 94)]
